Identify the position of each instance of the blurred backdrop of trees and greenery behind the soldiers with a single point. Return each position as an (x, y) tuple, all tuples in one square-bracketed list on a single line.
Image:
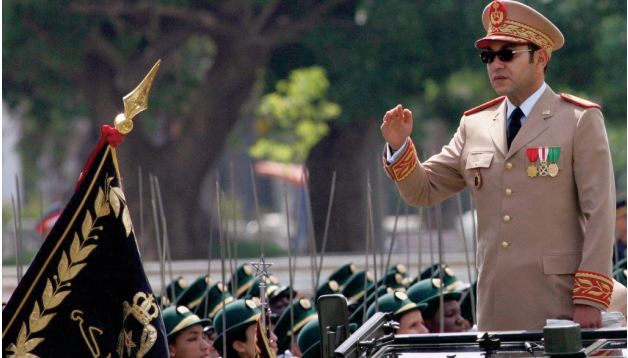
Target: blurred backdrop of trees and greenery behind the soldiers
[(250, 95)]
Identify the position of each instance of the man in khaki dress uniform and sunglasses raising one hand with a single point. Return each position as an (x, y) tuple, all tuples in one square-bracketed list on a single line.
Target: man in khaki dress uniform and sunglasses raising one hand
[(539, 168)]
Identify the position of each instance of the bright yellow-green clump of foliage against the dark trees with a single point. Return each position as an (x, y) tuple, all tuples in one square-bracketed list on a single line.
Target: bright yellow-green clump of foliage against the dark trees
[(291, 120)]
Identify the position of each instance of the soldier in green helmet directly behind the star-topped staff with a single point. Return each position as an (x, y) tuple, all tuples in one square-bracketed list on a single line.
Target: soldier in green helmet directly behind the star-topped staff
[(240, 329)]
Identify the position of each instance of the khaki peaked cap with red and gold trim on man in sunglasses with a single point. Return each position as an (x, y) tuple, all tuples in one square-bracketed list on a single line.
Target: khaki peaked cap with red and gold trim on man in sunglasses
[(512, 21)]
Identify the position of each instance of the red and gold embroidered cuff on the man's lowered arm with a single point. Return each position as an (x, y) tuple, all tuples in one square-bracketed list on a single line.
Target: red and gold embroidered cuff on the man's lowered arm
[(593, 286)]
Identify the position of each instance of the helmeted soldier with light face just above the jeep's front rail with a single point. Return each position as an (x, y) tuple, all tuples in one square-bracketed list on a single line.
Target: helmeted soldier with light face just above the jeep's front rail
[(406, 312)]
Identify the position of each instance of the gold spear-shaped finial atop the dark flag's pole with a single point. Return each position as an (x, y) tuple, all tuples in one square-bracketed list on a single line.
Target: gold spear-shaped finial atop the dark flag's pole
[(135, 102)]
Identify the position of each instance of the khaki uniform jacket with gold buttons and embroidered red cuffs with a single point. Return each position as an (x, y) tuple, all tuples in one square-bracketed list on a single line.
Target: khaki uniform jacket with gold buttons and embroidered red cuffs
[(536, 235)]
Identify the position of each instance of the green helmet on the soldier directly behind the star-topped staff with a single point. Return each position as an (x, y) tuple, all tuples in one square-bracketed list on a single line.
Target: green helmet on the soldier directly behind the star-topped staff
[(239, 316)]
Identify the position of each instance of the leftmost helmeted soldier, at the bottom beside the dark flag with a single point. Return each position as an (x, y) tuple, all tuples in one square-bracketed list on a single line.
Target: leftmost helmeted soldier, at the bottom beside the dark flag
[(185, 334)]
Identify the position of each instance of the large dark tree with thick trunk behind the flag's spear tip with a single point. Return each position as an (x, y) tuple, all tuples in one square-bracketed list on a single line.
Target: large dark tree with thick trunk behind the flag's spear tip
[(68, 59)]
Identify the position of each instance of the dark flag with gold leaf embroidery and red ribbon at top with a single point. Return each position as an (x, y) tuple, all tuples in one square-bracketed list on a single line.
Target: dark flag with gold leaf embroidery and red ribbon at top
[(86, 293)]
